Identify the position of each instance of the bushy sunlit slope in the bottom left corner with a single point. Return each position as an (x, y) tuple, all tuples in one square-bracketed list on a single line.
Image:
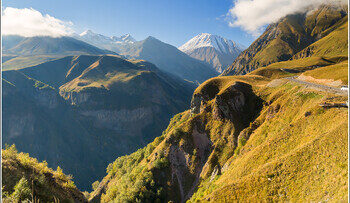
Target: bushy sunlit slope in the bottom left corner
[(48, 183)]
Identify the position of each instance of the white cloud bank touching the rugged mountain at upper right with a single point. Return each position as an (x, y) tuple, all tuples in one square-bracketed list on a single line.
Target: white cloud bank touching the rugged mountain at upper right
[(252, 15)]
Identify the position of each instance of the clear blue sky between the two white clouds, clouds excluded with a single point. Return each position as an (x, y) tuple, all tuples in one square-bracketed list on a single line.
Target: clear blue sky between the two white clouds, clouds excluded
[(172, 21)]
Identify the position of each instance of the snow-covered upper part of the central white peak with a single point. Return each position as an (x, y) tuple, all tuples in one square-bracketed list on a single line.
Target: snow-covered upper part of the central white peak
[(209, 40)]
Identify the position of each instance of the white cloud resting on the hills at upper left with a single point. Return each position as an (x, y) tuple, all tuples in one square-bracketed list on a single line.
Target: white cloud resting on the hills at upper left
[(29, 22)]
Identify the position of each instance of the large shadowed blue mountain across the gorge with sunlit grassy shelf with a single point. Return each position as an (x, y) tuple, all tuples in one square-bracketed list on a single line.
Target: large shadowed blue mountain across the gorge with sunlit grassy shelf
[(80, 112)]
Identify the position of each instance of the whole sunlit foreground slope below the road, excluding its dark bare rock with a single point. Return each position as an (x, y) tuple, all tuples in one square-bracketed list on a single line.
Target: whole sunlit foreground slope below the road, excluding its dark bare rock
[(271, 162)]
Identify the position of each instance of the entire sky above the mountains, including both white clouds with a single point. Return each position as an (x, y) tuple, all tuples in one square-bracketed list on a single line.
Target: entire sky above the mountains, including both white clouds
[(172, 21)]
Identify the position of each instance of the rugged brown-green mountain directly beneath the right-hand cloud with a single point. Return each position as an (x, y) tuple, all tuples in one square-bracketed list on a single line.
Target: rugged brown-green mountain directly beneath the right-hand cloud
[(283, 39)]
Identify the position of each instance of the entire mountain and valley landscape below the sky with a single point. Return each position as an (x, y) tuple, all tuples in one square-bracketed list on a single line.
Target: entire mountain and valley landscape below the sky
[(92, 118)]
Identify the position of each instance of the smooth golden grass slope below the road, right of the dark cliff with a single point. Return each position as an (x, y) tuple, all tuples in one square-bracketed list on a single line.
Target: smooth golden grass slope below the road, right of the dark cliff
[(292, 156)]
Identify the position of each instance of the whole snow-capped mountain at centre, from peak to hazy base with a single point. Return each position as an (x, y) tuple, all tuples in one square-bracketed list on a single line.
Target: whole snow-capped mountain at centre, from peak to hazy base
[(215, 50)]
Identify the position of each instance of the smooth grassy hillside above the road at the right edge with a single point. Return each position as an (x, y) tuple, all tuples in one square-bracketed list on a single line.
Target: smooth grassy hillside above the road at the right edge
[(328, 56)]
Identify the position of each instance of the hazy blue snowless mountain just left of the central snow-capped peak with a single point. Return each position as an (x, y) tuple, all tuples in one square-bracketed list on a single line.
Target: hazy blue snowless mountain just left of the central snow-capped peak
[(168, 58)]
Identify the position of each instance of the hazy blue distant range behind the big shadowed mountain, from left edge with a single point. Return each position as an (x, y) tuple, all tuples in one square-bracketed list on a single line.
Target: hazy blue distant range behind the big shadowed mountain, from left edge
[(20, 52)]
